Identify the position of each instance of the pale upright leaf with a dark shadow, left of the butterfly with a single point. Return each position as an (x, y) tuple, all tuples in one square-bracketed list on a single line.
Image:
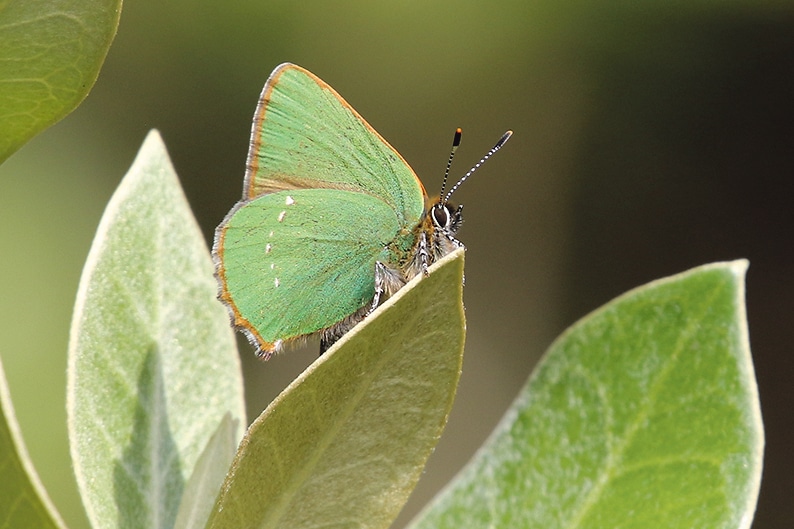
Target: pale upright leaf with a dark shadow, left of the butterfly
[(153, 366)]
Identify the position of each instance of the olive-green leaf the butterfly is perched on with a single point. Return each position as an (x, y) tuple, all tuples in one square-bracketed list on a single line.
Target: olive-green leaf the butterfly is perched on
[(346, 442)]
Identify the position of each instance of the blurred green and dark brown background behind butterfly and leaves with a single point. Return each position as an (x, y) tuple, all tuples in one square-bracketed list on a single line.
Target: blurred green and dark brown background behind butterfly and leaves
[(650, 137)]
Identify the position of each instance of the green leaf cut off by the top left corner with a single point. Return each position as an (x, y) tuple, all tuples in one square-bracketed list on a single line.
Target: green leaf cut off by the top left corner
[(50, 55)]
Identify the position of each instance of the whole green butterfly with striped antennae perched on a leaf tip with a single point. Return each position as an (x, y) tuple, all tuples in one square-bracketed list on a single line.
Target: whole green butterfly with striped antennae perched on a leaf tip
[(332, 220)]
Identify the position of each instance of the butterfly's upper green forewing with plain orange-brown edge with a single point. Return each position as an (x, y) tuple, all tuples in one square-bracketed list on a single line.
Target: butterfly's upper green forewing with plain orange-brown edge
[(306, 136)]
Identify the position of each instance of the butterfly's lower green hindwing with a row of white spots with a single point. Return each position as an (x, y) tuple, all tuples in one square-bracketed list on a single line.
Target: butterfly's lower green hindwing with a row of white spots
[(295, 262)]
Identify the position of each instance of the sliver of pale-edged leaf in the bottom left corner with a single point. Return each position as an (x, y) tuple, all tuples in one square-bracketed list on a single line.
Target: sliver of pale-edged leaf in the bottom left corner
[(23, 500)]
